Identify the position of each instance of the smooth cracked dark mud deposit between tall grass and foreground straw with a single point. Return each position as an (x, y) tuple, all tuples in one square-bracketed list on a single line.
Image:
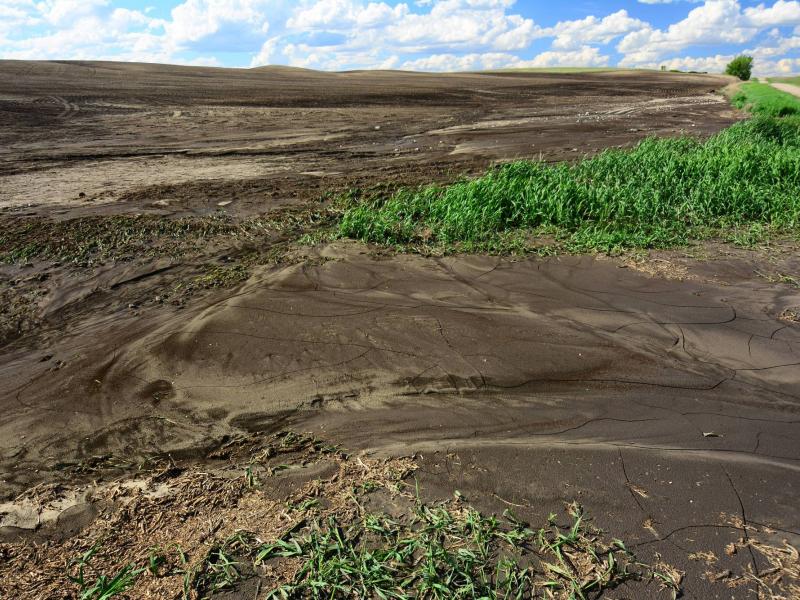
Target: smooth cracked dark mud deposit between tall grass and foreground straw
[(666, 407)]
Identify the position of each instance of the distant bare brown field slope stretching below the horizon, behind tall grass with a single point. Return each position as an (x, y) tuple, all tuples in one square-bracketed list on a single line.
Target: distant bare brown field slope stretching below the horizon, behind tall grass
[(74, 136)]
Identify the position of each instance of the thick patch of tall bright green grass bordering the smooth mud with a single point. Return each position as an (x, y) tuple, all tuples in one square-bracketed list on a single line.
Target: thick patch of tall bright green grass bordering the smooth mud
[(659, 194)]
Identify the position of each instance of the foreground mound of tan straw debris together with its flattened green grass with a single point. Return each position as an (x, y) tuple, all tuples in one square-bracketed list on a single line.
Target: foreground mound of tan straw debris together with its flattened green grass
[(359, 530)]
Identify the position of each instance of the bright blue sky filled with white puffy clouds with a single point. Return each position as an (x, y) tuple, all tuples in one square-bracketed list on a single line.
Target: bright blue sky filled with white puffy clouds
[(423, 35)]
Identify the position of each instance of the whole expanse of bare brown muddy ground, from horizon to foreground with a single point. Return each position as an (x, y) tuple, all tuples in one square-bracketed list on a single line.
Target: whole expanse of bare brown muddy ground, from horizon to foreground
[(661, 392)]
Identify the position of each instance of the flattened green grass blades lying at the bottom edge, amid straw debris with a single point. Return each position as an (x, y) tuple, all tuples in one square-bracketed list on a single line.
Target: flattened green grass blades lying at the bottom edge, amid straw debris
[(452, 551)]
